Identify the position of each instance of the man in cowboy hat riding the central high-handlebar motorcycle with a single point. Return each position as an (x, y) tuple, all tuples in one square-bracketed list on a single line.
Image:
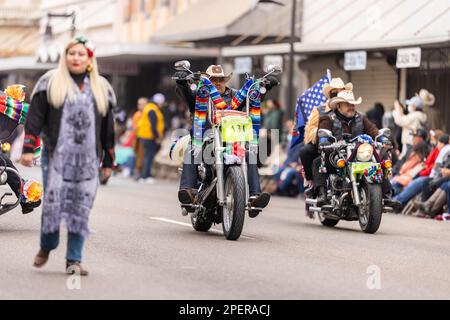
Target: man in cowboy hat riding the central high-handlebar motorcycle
[(189, 180)]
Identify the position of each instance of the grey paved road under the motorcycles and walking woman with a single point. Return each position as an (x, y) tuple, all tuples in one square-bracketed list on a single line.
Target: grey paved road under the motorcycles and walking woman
[(142, 248)]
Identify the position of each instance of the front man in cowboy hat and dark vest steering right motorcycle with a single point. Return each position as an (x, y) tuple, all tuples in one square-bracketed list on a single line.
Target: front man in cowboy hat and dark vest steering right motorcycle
[(345, 120)]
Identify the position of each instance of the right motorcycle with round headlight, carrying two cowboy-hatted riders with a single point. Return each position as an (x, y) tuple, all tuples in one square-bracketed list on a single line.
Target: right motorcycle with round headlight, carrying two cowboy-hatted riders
[(354, 191)]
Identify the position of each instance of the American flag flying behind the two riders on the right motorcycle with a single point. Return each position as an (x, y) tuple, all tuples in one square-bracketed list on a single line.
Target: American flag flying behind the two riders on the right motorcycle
[(312, 98)]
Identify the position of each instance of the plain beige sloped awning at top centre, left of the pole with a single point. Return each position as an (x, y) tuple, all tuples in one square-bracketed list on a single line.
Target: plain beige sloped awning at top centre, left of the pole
[(229, 21)]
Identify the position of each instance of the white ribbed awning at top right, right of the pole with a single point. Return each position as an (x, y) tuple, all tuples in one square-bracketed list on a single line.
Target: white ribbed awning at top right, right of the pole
[(373, 24)]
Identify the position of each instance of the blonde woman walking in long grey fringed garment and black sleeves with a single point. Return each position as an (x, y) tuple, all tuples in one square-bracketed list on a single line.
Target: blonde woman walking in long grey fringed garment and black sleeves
[(72, 108)]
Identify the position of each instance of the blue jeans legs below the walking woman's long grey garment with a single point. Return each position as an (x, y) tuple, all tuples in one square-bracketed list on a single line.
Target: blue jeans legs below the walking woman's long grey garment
[(75, 243)]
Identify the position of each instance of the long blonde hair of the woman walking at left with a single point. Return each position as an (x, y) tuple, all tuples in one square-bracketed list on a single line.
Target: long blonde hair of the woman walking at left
[(60, 85)]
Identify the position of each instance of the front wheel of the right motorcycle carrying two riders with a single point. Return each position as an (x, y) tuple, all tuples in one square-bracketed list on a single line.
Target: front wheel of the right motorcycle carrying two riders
[(371, 209)]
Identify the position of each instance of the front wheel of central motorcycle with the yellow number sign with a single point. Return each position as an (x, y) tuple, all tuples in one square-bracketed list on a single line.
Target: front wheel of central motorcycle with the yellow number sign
[(234, 208)]
